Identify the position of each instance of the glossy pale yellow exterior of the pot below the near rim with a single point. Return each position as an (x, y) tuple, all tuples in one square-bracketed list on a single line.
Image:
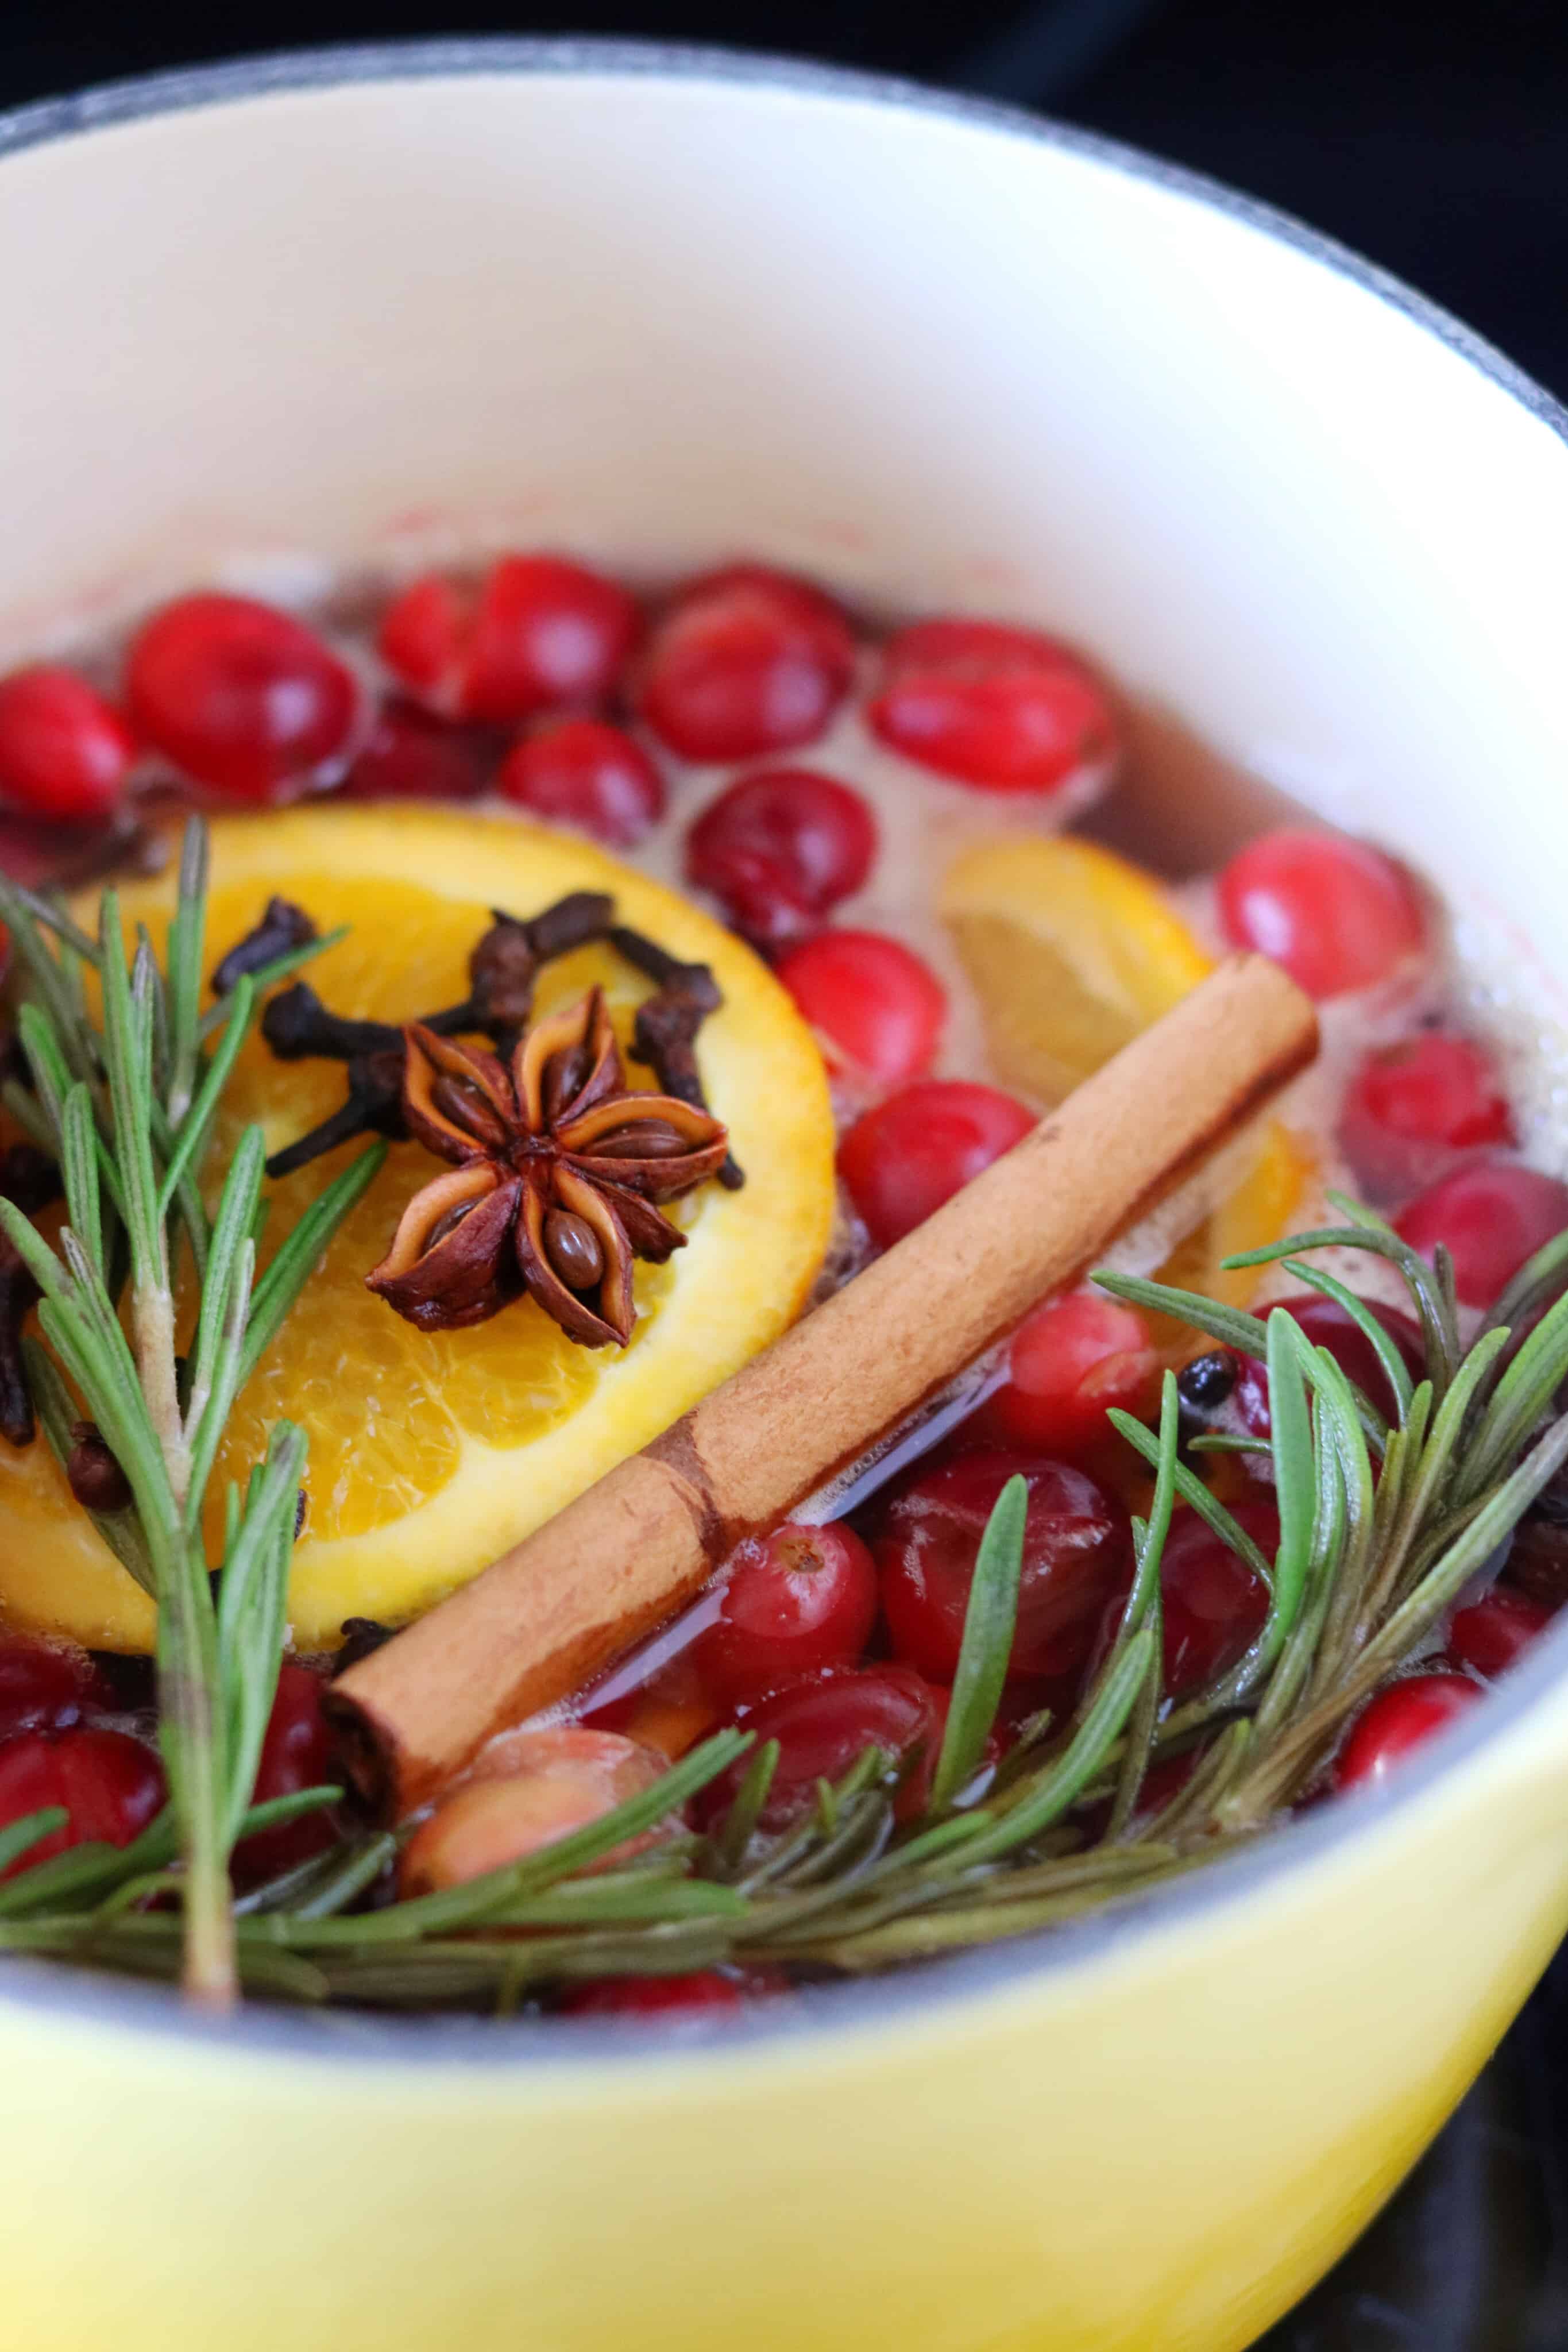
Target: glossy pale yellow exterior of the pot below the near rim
[(1144, 2149)]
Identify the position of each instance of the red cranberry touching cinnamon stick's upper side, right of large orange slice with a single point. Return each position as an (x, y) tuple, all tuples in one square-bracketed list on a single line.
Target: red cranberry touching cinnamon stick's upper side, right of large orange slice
[(918, 1149)]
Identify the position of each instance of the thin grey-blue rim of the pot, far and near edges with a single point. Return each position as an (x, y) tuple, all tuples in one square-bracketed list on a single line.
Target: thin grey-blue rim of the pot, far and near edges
[(53, 1989)]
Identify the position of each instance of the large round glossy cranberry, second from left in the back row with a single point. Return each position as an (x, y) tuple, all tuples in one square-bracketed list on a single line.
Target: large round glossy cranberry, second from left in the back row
[(243, 697)]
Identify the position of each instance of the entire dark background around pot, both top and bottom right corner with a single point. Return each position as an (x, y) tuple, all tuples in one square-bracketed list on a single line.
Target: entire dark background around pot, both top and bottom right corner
[(1433, 135)]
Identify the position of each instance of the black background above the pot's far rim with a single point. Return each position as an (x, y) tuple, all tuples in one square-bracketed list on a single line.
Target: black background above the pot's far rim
[(1428, 133)]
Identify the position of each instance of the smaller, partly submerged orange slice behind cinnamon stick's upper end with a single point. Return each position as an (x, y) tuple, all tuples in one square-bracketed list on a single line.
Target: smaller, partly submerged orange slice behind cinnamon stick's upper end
[(1073, 951)]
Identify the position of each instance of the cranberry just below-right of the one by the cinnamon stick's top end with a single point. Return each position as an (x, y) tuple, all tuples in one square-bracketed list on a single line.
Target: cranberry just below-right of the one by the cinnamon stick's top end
[(1416, 1109)]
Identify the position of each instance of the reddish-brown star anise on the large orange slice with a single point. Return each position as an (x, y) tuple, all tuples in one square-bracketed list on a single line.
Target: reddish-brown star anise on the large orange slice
[(554, 1184)]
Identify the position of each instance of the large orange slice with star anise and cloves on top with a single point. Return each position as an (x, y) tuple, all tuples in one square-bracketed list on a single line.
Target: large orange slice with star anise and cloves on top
[(434, 1452)]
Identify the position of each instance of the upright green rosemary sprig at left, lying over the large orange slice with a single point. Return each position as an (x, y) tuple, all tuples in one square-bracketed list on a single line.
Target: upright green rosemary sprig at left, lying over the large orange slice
[(130, 1102)]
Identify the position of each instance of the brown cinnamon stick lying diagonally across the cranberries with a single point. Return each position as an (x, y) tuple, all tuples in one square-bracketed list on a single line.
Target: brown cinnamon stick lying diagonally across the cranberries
[(643, 1542)]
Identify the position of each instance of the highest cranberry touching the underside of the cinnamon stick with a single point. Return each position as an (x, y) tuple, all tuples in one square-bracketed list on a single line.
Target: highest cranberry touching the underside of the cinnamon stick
[(1071, 1361)]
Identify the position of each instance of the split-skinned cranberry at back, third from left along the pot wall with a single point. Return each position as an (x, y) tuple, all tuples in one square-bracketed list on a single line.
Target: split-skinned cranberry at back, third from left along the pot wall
[(537, 636)]
